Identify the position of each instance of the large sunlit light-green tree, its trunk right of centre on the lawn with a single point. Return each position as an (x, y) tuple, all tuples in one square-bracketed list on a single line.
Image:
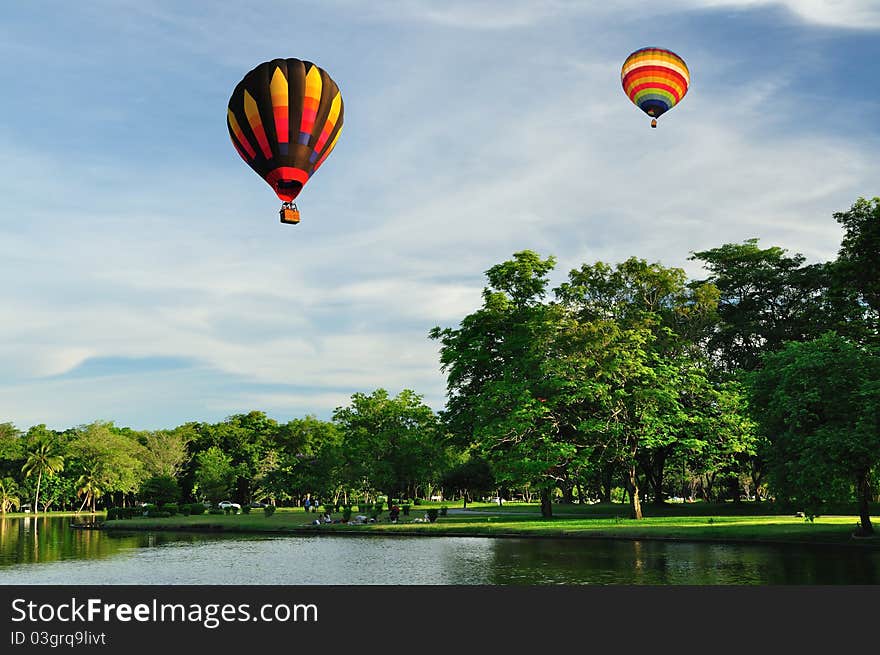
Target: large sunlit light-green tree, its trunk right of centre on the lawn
[(635, 374)]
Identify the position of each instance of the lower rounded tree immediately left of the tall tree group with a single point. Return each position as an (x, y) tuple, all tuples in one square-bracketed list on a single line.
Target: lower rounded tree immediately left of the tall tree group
[(388, 444)]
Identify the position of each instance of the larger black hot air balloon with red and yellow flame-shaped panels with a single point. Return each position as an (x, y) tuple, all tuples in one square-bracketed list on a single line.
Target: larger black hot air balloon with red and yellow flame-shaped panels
[(284, 119)]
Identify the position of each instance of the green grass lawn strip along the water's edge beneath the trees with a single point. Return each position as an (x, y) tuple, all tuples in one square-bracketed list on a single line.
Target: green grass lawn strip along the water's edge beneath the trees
[(687, 523)]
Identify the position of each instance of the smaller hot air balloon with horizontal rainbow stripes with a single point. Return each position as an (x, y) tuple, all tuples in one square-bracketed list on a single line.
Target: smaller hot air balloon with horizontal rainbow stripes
[(655, 80)]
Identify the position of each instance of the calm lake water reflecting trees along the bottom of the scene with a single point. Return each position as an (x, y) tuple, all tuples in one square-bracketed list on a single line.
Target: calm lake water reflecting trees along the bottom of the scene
[(46, 550)]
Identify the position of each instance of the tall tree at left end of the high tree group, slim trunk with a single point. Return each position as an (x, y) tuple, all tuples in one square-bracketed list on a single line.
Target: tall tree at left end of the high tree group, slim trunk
[(498, 379)]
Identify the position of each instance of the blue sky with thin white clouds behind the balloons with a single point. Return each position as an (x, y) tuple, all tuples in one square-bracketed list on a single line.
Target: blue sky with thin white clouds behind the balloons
[(147, 280)]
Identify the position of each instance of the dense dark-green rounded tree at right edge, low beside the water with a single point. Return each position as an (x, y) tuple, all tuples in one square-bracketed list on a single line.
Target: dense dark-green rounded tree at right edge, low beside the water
[(817, 404)]
